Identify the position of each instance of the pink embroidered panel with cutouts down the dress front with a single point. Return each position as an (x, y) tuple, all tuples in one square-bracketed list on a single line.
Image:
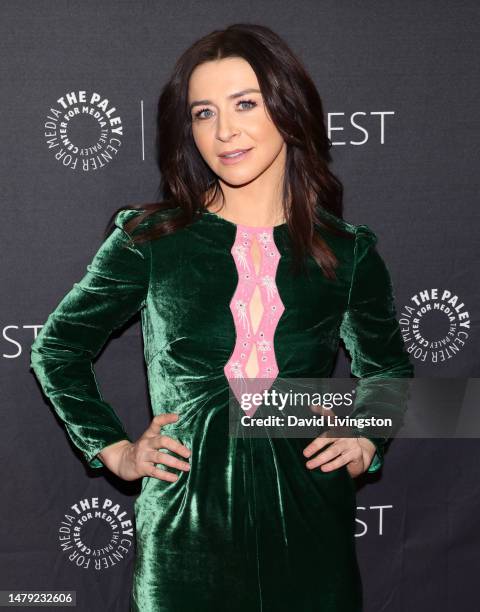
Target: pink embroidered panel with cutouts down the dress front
[(256, 307)]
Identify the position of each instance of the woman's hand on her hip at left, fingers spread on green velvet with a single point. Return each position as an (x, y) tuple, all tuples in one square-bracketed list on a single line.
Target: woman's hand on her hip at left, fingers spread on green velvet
[(132, 460)]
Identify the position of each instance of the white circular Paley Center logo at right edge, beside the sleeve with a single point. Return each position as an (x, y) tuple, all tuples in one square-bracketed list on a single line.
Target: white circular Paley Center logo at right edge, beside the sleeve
[(435, 325)]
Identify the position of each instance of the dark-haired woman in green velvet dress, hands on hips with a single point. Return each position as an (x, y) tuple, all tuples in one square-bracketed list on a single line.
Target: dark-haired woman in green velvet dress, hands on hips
[(246, 270)]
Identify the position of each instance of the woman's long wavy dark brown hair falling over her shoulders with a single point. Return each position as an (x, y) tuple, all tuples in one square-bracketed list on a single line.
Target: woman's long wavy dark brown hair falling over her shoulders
[(296, 109)]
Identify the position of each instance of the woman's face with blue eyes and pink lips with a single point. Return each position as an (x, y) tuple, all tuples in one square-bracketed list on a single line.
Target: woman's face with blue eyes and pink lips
[(223, 121)]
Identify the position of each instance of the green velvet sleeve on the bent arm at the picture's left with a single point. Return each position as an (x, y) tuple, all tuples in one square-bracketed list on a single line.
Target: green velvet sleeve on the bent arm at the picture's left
[(113, 289)]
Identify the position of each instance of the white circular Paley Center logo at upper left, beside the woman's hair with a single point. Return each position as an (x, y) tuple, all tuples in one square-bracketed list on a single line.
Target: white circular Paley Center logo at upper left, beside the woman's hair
[(84, 130)]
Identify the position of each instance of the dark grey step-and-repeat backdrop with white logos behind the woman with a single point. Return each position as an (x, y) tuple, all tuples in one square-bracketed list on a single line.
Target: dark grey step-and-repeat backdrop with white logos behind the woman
[(400, 90)]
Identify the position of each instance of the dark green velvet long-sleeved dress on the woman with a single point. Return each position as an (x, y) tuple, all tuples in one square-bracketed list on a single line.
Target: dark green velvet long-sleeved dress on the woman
[(249, 528)]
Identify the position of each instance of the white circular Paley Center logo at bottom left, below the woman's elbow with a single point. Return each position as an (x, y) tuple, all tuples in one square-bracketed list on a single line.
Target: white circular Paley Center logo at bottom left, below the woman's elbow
[(96, 533)]
